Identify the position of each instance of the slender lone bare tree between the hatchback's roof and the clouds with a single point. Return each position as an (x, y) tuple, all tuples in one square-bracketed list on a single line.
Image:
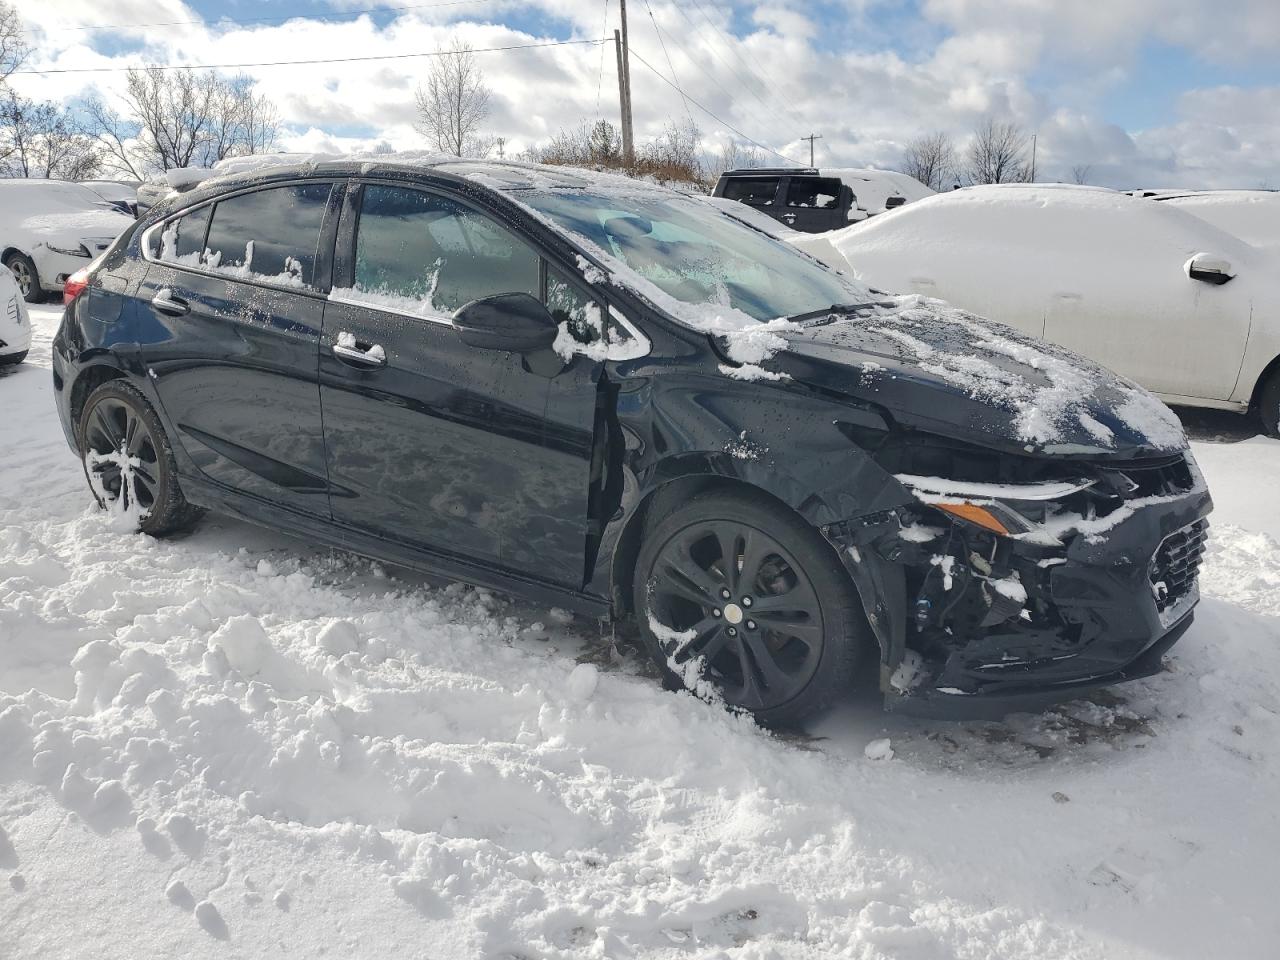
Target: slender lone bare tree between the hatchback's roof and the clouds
[(455, 102)]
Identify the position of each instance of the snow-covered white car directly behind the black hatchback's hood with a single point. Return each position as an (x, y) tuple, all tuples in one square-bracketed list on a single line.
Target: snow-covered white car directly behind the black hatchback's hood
[(1156, 294)]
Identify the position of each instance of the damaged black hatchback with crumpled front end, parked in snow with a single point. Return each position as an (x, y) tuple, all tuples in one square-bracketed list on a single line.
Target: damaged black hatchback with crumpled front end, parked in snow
[(604, 396)]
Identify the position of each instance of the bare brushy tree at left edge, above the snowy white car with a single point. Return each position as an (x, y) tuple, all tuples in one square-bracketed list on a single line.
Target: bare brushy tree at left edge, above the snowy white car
[(43, 140)]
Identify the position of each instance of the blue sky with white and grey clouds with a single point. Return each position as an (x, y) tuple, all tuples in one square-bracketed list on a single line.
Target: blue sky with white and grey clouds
[(1140, 90)]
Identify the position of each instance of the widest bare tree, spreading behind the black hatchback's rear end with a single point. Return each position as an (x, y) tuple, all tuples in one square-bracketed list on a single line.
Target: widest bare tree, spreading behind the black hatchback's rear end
[(181, 118)]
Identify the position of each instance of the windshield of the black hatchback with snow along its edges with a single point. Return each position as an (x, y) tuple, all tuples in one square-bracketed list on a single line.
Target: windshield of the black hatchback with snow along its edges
[(697, 254)]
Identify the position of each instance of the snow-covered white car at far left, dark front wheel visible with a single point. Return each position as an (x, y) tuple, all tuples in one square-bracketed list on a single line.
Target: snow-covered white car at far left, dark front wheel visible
[(49, 230)]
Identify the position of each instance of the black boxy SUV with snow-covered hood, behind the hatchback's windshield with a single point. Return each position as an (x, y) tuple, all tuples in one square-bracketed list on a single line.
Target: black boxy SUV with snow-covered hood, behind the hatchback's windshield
[(815, 202)]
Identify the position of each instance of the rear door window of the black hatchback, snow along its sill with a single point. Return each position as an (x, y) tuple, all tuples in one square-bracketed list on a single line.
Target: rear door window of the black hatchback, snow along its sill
[(271, 235)]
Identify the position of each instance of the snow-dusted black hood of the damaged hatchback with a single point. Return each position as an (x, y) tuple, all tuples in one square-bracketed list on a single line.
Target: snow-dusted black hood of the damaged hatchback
[(939, 369)]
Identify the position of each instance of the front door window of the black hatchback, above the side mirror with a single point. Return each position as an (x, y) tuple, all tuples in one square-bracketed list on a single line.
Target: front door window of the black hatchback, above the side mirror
[(429, 255)]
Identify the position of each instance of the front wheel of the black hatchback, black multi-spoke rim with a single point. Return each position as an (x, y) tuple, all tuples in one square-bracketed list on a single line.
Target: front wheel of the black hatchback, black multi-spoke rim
[(783, 664)]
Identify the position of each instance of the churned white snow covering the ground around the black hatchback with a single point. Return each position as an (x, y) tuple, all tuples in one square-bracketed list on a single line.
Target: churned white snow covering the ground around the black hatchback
[(232, 744)]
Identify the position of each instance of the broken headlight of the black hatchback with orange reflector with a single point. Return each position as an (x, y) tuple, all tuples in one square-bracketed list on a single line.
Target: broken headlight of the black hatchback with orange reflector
[(1005, 510)]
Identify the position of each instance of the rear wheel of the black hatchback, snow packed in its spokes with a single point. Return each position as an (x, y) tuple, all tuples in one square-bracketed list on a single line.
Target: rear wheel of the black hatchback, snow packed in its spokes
[(144, 487)]
